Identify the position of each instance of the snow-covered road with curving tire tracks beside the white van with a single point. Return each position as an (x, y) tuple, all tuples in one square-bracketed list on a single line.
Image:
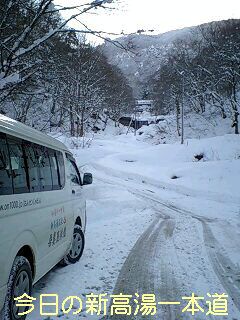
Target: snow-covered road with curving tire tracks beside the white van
[(147, 236)]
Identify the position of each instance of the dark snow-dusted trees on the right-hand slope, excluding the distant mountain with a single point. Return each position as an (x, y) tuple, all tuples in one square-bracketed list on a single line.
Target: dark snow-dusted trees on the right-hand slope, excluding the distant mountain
[(202, 73)]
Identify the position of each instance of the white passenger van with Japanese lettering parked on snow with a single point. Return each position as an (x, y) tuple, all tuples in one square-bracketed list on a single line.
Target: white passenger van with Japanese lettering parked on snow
[(42, 211)]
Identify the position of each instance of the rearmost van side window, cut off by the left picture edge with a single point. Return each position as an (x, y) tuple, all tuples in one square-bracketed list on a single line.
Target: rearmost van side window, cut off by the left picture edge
[(6, 186)]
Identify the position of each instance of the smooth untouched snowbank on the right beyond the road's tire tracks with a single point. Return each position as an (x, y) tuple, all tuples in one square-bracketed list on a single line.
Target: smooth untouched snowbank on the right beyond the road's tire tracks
[(207, 167)]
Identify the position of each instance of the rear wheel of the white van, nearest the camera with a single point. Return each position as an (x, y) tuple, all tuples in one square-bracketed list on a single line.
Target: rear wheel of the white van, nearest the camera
[(20, 282)]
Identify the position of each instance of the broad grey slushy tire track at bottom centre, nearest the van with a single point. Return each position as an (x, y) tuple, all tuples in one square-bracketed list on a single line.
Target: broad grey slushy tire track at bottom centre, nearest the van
[(146, 269)]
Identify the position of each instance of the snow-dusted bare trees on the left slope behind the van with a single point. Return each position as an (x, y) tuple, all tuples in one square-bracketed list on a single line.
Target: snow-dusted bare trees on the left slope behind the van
[(51, 78)]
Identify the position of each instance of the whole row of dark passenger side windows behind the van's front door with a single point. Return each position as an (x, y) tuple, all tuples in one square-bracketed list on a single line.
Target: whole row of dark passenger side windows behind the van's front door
[(29, 167)]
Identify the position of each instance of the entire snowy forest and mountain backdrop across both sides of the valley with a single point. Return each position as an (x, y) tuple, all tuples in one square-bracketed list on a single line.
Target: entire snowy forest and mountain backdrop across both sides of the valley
[(53, 79)]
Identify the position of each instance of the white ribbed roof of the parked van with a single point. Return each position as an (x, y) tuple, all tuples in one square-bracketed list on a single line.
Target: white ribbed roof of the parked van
[(20, 130)]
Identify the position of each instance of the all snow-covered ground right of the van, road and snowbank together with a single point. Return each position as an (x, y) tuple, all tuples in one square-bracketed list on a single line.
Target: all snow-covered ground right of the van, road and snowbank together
[(147, 232)]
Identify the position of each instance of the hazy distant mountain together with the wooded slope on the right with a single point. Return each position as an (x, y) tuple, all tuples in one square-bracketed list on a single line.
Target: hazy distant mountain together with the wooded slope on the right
[(195, 67)]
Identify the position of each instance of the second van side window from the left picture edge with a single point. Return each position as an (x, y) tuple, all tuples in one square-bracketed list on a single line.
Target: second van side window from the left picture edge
[(18, 164)]
